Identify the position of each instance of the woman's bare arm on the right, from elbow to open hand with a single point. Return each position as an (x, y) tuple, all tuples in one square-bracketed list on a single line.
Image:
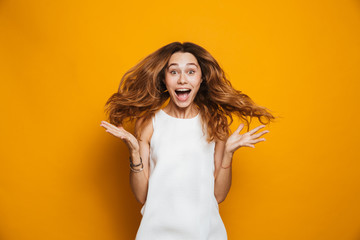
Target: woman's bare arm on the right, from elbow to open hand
[(224, 151)]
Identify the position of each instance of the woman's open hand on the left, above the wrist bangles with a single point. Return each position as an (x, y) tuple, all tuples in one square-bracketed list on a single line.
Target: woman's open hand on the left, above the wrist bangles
[(129, 139)]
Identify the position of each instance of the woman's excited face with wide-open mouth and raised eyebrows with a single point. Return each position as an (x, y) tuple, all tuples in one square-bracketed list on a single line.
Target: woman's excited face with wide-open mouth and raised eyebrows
[(183, 78)]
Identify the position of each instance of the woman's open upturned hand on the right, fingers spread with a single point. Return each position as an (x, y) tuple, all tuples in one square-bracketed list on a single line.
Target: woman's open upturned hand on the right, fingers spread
[(236, 140)]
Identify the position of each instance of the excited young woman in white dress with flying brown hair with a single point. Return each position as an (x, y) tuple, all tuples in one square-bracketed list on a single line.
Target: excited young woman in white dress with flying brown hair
[(181, 154)]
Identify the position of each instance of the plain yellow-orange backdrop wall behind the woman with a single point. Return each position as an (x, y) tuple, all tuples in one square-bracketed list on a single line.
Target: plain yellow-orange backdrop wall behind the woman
[(63, 177)]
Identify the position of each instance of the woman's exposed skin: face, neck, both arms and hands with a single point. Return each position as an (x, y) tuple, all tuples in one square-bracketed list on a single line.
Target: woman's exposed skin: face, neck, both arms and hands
[(183, 72)]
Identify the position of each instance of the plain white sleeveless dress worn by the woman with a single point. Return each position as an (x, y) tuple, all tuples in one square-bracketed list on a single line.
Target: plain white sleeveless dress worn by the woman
[(180, 203)]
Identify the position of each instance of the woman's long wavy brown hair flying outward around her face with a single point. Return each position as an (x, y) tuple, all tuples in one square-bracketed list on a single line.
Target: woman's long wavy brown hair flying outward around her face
[(142, 93)]
